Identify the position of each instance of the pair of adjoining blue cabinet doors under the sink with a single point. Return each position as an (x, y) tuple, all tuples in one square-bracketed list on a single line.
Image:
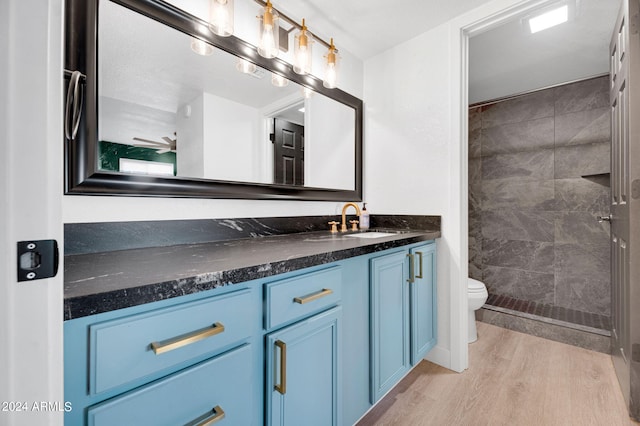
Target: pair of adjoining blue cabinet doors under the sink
[(403, 314)]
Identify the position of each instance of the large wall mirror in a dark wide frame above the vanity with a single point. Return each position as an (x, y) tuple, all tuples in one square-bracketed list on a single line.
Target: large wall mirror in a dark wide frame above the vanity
[(158, 119)]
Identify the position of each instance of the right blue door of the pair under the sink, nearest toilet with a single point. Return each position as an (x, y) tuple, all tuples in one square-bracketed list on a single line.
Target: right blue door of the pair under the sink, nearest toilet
[(423, 302)]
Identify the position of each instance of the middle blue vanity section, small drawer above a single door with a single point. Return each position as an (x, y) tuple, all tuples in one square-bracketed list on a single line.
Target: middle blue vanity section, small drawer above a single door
[(303, 362)]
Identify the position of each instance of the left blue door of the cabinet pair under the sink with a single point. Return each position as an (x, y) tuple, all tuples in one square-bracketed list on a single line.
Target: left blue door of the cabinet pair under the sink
[(389, 322)]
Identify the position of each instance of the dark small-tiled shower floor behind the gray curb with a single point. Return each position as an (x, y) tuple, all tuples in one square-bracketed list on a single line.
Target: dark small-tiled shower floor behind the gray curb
[(571, 318)]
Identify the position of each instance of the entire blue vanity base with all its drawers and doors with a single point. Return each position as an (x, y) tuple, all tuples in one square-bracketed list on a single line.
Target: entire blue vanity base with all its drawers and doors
[(317, 346)]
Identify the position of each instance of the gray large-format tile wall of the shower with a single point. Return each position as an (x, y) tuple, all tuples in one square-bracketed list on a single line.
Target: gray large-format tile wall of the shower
[(532, 228)]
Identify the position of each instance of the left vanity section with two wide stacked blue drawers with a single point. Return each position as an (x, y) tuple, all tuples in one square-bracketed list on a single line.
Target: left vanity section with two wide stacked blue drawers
[(196, 357)]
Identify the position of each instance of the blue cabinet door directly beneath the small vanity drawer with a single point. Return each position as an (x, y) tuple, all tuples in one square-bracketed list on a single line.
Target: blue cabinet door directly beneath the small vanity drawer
[(303, 372)]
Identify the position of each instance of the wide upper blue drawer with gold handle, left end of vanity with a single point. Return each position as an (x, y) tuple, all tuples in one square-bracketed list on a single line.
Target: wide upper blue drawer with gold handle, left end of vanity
[(131, 348)]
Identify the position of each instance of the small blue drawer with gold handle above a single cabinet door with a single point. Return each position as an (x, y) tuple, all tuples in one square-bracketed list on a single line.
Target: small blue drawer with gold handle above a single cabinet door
[(301, 296)]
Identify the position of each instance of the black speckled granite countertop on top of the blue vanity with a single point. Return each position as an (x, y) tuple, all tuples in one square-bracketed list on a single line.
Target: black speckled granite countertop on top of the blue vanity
[(102, 282)]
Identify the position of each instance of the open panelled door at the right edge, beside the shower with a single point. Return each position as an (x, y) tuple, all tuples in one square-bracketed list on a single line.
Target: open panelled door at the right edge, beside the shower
[(625, 203)]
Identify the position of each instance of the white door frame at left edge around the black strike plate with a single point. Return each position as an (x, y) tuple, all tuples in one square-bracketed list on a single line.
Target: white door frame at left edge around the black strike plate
[(30, 205)]
